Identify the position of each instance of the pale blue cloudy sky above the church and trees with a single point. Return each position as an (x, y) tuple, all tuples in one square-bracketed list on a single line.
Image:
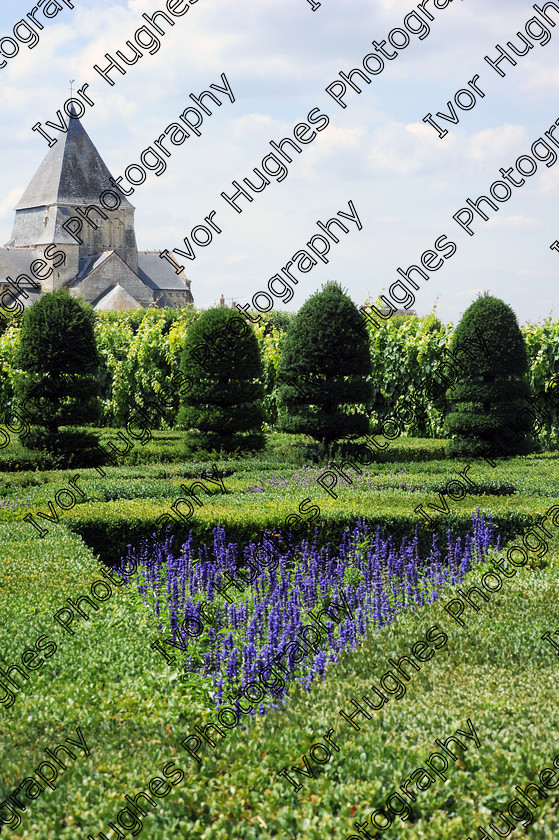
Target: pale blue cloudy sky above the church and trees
[(404, 181)]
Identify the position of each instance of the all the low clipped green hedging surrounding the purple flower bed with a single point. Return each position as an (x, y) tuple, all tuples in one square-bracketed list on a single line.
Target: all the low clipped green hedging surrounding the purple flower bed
[(133, 710)]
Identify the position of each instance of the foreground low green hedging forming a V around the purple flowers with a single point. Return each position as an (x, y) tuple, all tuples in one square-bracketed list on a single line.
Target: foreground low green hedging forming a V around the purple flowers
[(134, 710)]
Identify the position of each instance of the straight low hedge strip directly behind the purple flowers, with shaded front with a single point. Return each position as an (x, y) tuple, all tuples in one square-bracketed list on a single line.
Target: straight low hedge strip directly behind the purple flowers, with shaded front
[(109, 527)]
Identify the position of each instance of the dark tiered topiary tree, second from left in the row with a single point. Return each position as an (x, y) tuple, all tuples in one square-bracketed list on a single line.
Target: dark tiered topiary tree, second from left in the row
[(223, 411)]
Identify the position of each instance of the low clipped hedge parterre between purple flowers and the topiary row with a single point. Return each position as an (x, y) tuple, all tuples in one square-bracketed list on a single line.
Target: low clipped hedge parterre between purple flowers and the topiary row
[(122, 508)]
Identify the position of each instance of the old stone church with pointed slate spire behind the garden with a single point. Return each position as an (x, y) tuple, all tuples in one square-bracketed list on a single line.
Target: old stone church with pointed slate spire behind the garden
[(106, 269)]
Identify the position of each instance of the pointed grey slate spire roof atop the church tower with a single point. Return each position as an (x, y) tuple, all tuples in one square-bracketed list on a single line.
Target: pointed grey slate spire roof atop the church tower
[(71, 173)]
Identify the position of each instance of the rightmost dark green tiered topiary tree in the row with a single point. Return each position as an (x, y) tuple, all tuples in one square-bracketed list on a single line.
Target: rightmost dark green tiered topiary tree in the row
[(490, 392)]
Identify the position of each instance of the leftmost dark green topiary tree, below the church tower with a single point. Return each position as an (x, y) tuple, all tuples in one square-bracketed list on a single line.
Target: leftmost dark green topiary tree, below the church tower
[(58, 384)]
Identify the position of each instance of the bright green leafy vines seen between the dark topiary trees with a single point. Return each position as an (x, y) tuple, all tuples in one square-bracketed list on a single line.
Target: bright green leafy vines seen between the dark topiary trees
[(140, 352)]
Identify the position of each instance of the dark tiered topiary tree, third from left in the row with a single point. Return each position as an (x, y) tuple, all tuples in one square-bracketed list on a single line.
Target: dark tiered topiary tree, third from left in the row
[(323, 370)]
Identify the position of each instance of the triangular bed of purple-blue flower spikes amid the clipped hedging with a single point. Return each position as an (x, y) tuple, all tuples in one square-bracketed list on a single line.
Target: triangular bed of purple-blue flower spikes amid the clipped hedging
[(260, 619)]
